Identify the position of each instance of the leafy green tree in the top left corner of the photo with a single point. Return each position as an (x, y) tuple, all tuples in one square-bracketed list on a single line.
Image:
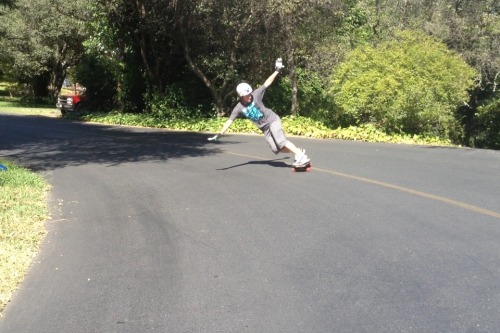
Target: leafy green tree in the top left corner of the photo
[(42, 39)]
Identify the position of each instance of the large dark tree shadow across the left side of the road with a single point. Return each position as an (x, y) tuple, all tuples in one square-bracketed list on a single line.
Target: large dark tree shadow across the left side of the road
[(47, 143)]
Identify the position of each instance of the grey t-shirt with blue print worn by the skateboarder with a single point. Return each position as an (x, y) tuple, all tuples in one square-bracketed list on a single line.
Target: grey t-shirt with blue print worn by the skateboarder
[(255, 111)]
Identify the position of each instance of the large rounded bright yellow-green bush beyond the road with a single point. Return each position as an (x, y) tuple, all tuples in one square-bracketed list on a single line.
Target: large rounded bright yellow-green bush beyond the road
[(411, 84)]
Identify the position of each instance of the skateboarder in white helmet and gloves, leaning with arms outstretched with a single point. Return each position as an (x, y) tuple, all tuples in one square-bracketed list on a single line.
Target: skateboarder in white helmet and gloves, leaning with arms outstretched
[(251, 106)]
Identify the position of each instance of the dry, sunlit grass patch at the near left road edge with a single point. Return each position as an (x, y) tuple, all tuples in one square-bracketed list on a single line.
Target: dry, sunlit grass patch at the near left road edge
[(23, 211)]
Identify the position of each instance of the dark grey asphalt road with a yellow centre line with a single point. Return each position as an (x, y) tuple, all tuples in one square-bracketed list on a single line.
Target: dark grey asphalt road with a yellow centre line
[(160, 231)]
